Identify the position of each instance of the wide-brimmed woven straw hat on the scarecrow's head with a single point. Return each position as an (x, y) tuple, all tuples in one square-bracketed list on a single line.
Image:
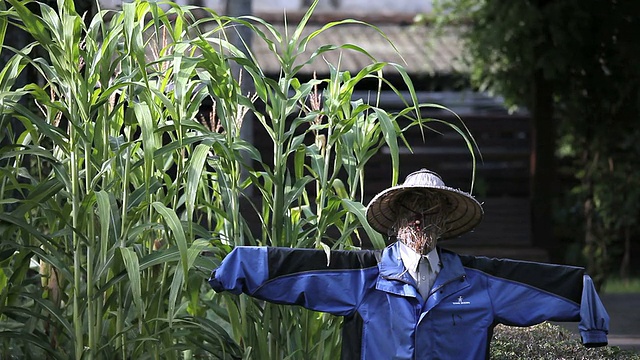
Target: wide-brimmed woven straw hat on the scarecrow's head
[(463, 211)]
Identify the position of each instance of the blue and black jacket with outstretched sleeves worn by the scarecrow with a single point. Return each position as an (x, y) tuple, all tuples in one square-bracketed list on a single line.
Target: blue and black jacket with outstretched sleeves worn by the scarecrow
[(385, 316)]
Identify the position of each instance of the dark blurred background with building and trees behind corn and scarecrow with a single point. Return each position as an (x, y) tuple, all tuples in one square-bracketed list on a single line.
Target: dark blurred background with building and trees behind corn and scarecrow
[(548, 89)]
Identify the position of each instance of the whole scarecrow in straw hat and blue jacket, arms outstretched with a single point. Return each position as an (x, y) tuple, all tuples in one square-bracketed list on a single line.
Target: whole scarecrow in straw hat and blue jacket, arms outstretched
[(415, 300)]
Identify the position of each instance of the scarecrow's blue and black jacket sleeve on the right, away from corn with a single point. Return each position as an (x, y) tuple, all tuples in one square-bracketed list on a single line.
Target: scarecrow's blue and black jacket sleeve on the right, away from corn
[(527, 293)]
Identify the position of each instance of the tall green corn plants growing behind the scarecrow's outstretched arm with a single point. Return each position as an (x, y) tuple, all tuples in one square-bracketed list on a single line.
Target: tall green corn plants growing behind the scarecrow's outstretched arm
[(121, 189)]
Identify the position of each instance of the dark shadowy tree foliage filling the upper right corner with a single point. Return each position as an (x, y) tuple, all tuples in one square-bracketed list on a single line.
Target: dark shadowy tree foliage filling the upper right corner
[(585, 52)]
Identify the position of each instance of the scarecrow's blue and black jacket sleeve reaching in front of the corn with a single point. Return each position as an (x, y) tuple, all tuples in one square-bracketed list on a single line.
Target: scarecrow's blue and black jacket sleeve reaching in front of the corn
[(298, 276)]
